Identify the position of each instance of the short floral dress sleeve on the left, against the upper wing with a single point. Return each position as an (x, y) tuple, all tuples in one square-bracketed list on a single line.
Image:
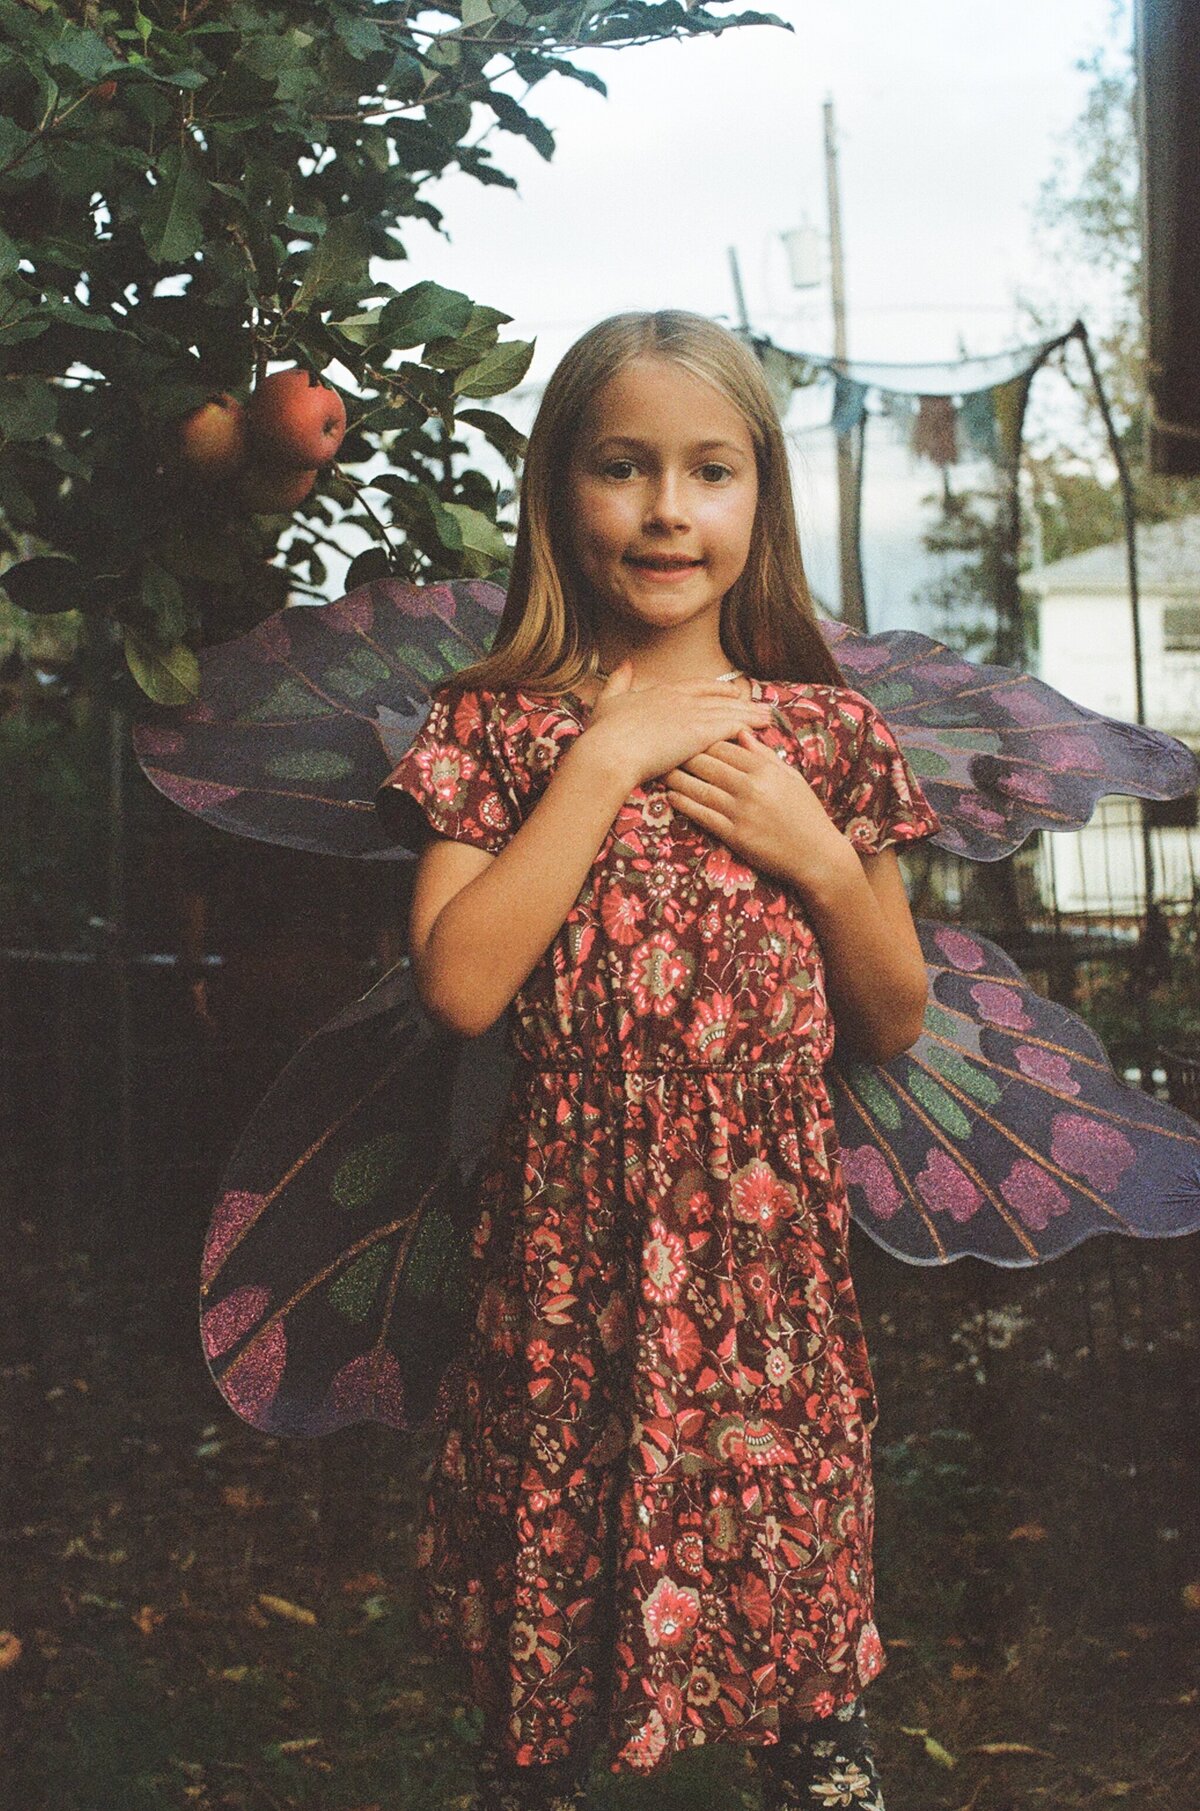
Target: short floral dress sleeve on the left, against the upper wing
[(452, 778)]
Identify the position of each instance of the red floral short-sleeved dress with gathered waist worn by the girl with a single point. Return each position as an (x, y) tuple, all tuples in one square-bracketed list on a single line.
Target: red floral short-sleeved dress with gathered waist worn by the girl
[(652, 1511)]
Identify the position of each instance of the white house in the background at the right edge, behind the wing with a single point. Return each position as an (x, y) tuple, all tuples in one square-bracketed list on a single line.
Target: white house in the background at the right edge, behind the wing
[(1087, 653)]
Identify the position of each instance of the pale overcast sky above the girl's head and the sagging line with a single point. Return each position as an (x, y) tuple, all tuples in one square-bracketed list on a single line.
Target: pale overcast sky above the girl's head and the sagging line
[(949, 117)]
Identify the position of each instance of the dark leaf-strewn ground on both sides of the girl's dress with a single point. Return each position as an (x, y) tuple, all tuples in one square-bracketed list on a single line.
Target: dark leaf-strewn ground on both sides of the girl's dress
[(200, 1616)]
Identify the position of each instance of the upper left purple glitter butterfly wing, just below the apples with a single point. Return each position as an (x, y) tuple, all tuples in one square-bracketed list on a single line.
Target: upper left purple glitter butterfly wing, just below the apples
[(300, 722)]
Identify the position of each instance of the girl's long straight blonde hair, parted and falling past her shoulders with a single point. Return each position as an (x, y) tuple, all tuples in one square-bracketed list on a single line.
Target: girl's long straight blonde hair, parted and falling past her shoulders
[(768, 624)]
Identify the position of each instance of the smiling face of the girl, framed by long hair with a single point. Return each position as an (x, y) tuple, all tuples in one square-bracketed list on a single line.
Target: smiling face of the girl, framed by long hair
[(662, 495)]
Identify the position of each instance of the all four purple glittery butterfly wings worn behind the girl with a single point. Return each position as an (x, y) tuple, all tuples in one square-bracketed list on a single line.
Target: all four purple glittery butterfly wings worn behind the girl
[(334, 1267)]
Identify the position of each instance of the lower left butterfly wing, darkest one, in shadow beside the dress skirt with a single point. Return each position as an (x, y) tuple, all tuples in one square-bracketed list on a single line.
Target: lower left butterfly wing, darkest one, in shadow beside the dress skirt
[(336, 1279)]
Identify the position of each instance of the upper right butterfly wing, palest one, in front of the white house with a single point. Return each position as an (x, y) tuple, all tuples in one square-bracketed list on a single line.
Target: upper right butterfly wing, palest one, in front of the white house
[(998, 752)]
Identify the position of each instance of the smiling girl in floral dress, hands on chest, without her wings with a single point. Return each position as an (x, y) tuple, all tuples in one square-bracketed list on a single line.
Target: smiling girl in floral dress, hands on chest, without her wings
[(663, 830)]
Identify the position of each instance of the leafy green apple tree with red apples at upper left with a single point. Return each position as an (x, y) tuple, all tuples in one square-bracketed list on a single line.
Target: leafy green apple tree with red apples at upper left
[(198, 195)]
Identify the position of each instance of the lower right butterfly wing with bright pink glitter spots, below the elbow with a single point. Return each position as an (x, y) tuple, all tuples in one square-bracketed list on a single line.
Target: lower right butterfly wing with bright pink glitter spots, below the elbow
[(1004, 1133)]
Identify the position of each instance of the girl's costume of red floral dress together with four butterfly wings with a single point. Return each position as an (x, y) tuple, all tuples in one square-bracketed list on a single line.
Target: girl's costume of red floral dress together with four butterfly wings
[(605, 1245)]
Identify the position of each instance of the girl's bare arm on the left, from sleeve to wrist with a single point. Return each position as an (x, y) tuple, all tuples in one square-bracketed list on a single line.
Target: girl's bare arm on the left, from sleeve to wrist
[(481, 923)]
